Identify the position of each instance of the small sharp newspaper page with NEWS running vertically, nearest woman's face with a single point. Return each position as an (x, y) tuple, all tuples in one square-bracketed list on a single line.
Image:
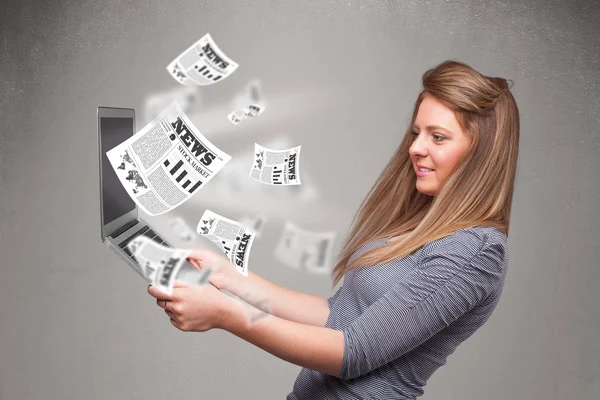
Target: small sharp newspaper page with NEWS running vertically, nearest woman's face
[(276, 167)]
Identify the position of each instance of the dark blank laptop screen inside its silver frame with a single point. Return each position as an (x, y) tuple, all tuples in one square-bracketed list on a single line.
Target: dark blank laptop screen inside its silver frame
[(115, 200)]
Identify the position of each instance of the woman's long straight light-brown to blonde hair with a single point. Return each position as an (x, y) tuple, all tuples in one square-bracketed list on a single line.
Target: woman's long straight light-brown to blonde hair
[(479, 191)]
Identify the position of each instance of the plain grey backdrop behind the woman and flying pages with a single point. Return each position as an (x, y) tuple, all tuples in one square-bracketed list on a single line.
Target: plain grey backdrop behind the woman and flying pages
[(340, 78)]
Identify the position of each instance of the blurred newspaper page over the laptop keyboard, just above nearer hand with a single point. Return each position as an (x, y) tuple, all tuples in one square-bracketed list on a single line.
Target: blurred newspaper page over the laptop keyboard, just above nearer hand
[(159, 264)]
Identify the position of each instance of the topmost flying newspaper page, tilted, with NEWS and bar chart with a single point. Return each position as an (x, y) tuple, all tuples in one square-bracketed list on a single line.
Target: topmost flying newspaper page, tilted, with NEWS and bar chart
[(203, 63)]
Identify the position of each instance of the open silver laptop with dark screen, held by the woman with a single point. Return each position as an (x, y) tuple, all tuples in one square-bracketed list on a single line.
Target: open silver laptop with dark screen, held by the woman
[(119, 219)]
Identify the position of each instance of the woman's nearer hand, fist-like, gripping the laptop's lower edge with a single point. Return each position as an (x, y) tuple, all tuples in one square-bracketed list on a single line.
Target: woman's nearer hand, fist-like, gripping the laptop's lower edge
[(194, 308)]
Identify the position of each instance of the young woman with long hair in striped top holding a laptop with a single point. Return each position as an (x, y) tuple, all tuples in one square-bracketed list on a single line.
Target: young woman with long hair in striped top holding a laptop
[(423, 266)]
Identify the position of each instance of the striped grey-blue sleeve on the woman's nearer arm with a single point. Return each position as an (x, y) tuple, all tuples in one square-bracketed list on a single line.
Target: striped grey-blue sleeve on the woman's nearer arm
[(446, 284)]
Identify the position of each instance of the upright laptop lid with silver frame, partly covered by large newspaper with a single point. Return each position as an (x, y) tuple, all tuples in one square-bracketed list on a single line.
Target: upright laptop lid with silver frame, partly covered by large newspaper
[(115, 125)]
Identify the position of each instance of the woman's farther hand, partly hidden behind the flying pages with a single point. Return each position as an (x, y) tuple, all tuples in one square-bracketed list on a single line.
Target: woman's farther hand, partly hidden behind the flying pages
[(223, 273)]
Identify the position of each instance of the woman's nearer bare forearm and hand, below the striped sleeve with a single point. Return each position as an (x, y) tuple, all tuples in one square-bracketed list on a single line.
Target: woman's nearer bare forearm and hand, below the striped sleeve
[(201, 308)]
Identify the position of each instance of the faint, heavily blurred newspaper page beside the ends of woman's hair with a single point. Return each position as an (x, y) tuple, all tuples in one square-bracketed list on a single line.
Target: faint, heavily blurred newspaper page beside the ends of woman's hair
[(305, 250)]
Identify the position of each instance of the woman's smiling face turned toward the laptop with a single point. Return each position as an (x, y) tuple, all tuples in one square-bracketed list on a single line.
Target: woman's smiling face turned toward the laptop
[(438, 144)]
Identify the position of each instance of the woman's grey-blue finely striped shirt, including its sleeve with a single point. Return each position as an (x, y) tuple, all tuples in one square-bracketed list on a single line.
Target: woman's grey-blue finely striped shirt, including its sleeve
[(402, 319)]
